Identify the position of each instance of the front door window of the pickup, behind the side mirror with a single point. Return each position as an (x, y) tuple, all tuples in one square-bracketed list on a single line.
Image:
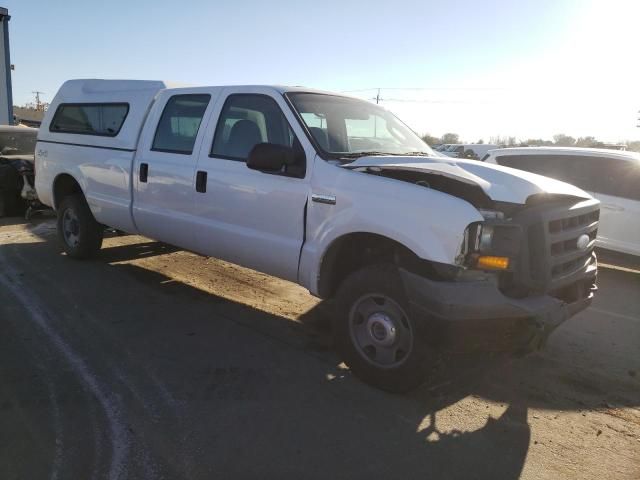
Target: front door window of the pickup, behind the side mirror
[(245, 121)]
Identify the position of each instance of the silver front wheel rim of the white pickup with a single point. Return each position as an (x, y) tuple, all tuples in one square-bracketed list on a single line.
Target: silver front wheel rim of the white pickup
[(380, 331)]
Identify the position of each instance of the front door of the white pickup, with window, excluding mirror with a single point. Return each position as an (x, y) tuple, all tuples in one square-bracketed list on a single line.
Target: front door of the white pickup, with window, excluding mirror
[(250, 217)]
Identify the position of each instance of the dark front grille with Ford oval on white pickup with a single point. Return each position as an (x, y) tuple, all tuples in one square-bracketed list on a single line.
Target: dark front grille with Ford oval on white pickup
[(558, 253)]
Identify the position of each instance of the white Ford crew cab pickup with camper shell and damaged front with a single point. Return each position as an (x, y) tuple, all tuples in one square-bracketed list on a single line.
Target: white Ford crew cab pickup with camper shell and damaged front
[(333, 193)]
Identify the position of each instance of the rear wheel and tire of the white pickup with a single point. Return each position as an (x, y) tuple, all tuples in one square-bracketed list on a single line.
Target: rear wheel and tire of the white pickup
[(78, 232)]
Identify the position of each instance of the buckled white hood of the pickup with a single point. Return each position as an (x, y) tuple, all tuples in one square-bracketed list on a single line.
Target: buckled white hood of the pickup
[(501, 184)]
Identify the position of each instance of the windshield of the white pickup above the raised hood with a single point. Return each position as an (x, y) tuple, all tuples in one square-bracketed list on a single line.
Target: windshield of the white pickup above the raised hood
[(346, 128)]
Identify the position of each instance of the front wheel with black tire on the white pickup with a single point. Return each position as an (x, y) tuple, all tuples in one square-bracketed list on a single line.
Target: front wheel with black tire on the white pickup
[(382, 285)]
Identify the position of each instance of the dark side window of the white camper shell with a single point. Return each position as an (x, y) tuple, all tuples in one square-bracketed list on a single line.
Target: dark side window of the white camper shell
[(99, 119)]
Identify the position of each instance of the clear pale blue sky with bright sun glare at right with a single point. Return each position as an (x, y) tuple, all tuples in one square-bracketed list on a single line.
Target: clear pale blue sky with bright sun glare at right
[(528, 68)]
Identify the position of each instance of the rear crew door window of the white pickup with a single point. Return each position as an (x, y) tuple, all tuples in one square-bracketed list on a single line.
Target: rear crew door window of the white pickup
[(178, 126)]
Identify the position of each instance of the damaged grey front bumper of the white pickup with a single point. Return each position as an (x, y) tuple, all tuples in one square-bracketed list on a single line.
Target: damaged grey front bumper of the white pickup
[(476, 316)]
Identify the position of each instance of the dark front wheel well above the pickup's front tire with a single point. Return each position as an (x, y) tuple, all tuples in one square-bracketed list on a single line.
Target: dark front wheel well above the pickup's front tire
[(356, 250)]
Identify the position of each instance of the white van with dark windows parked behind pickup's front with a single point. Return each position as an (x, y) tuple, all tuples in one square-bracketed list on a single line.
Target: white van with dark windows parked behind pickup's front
[(612, 176)]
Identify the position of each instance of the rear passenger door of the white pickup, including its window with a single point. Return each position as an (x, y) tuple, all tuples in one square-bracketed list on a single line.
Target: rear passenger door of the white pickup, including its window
[(164, 170)]
